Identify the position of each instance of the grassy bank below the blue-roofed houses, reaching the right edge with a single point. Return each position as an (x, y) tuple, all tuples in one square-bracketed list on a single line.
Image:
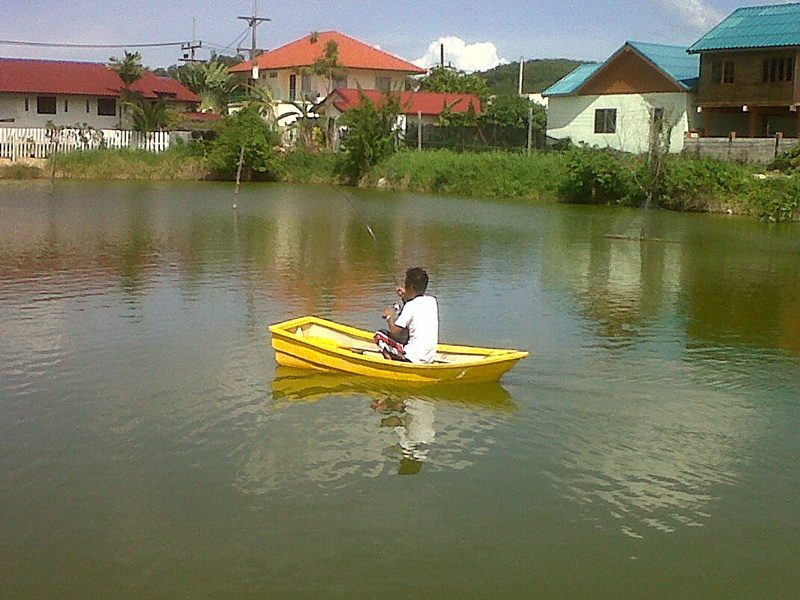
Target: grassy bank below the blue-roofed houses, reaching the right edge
[(590, 176)]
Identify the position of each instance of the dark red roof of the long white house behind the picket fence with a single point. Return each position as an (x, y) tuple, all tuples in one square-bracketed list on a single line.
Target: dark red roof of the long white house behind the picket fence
[(28, 76)]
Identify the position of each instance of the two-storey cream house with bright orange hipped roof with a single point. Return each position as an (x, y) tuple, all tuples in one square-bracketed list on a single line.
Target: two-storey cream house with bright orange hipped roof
[(289, 72)]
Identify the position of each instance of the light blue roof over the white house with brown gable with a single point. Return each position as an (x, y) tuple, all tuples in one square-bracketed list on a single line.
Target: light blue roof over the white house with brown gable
[(683, 68)]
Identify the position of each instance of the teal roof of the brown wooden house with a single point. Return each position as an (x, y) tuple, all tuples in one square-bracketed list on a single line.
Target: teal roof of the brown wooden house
[(754, 27)]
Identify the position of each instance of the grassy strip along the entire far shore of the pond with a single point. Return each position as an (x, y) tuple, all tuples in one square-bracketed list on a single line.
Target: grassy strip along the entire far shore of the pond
[(577, 175)]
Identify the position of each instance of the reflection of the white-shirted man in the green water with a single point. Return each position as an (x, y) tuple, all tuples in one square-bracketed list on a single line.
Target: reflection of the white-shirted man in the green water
[(412, 420)]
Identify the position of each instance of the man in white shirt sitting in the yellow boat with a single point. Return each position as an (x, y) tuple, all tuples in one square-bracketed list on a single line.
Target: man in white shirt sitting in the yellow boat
[(412, 335)]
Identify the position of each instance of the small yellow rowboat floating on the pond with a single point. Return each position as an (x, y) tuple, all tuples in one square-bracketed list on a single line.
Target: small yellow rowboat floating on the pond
[(314, 343)]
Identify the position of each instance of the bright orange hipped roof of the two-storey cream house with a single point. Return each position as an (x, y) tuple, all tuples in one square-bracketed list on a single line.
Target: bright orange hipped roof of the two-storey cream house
[(352, 55)]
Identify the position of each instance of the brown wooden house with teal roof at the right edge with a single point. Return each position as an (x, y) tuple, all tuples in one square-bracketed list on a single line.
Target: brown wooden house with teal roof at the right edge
[(749, 73)]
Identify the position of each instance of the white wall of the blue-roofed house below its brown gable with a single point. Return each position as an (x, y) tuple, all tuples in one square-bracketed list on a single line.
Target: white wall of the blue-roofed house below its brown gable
[(573, 117)]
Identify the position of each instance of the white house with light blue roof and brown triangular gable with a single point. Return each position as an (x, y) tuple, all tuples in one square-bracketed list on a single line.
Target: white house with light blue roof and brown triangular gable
[(641, 90)]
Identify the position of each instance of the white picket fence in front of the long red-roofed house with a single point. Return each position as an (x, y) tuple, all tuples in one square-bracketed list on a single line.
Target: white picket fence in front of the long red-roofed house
[(34, 142)]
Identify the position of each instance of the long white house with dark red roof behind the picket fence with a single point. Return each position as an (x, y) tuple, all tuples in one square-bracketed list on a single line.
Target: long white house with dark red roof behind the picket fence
[(33, 92)]
